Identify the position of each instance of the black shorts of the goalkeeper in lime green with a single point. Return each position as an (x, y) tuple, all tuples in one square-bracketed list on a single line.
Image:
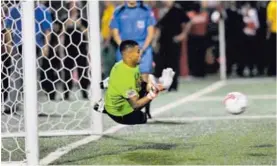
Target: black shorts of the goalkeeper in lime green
[(135, 117)]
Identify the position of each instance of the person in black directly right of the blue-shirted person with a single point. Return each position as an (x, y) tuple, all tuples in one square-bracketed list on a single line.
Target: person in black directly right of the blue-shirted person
[(172, 29)]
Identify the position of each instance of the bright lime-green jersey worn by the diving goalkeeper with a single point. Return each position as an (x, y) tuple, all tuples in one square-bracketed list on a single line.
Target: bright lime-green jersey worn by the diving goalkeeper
[(124, 83)]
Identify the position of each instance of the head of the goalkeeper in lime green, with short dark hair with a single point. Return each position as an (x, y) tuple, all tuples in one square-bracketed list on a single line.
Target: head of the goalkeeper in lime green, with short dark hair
[(130, 52)]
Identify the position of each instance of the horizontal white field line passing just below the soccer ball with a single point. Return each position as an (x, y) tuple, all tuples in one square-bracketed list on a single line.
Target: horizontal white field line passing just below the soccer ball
[(216, 118)]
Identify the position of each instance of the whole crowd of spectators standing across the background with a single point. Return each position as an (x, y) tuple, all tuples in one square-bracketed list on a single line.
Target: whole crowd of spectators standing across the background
[(62, 46)]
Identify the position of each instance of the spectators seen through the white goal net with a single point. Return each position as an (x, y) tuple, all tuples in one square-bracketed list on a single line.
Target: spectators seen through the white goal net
[(61, 48)]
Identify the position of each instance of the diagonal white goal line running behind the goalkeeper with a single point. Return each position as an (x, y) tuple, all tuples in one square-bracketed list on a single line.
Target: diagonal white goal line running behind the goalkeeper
[(64, 150)]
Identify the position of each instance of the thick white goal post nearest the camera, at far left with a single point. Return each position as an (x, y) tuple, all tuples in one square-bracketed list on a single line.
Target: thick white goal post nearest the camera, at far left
[(30, 83)]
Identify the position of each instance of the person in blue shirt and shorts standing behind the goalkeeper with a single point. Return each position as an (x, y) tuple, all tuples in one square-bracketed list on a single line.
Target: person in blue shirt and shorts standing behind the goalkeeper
[(135, 21)]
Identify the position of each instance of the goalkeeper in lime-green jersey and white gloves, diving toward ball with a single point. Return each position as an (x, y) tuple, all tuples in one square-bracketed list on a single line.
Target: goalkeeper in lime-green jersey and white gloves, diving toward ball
[(127, 93)]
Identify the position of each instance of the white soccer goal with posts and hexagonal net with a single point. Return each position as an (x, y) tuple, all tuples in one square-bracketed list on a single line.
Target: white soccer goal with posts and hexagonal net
[(39, 115)]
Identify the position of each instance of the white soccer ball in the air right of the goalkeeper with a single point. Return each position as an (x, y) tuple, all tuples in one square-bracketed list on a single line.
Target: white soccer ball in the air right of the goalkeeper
[(235, 103)]
